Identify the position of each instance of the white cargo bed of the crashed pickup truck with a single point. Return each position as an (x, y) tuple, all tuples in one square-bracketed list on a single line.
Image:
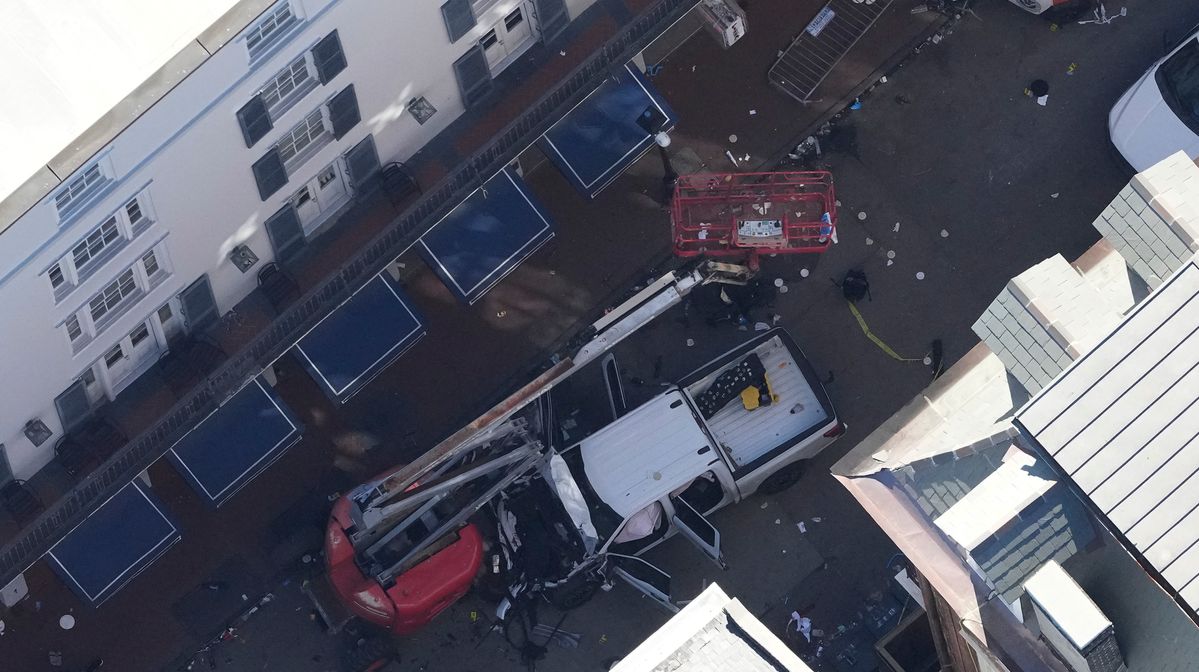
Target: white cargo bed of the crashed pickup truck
[(751, 435)]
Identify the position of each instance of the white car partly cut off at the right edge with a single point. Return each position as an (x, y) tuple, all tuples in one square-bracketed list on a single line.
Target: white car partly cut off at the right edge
[(1159, 116)]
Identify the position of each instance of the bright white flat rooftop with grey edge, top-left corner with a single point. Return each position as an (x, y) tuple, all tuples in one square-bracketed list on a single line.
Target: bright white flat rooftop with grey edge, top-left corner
[(83, 70)]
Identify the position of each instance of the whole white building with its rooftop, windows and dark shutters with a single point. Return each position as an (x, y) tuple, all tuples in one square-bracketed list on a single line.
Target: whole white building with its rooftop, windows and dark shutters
[(159, 140)]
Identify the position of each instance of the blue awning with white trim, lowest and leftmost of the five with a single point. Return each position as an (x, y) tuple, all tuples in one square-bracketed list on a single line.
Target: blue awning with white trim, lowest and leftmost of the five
[(118, 542)]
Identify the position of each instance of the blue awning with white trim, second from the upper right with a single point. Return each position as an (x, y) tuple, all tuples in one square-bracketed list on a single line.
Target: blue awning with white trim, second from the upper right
[(486, 237)]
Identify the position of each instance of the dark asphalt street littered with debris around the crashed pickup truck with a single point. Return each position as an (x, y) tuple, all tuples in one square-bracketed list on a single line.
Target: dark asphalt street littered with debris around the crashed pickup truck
[(948, 145)]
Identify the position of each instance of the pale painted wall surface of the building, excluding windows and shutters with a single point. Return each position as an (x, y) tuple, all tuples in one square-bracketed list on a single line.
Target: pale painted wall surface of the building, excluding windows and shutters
[(186, 161)]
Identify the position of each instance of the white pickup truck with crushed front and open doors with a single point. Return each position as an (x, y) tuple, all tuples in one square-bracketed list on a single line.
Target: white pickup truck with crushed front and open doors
[(660, 469)]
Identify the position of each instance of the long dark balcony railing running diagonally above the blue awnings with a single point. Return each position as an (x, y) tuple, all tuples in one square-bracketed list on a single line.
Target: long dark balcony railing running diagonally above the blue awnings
[(38, 538)]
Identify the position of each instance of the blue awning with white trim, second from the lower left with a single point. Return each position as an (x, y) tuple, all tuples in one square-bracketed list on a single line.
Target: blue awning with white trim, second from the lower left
[(237, 442)]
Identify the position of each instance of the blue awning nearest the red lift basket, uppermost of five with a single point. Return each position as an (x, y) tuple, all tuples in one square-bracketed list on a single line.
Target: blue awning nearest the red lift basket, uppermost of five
[(608, 131)]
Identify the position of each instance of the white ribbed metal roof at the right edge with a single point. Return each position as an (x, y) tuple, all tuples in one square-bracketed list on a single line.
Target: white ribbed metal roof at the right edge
[(1123, 425)]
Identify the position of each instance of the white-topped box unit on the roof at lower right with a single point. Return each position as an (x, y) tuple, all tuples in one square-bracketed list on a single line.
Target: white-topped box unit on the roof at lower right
[(1070, 623)]
